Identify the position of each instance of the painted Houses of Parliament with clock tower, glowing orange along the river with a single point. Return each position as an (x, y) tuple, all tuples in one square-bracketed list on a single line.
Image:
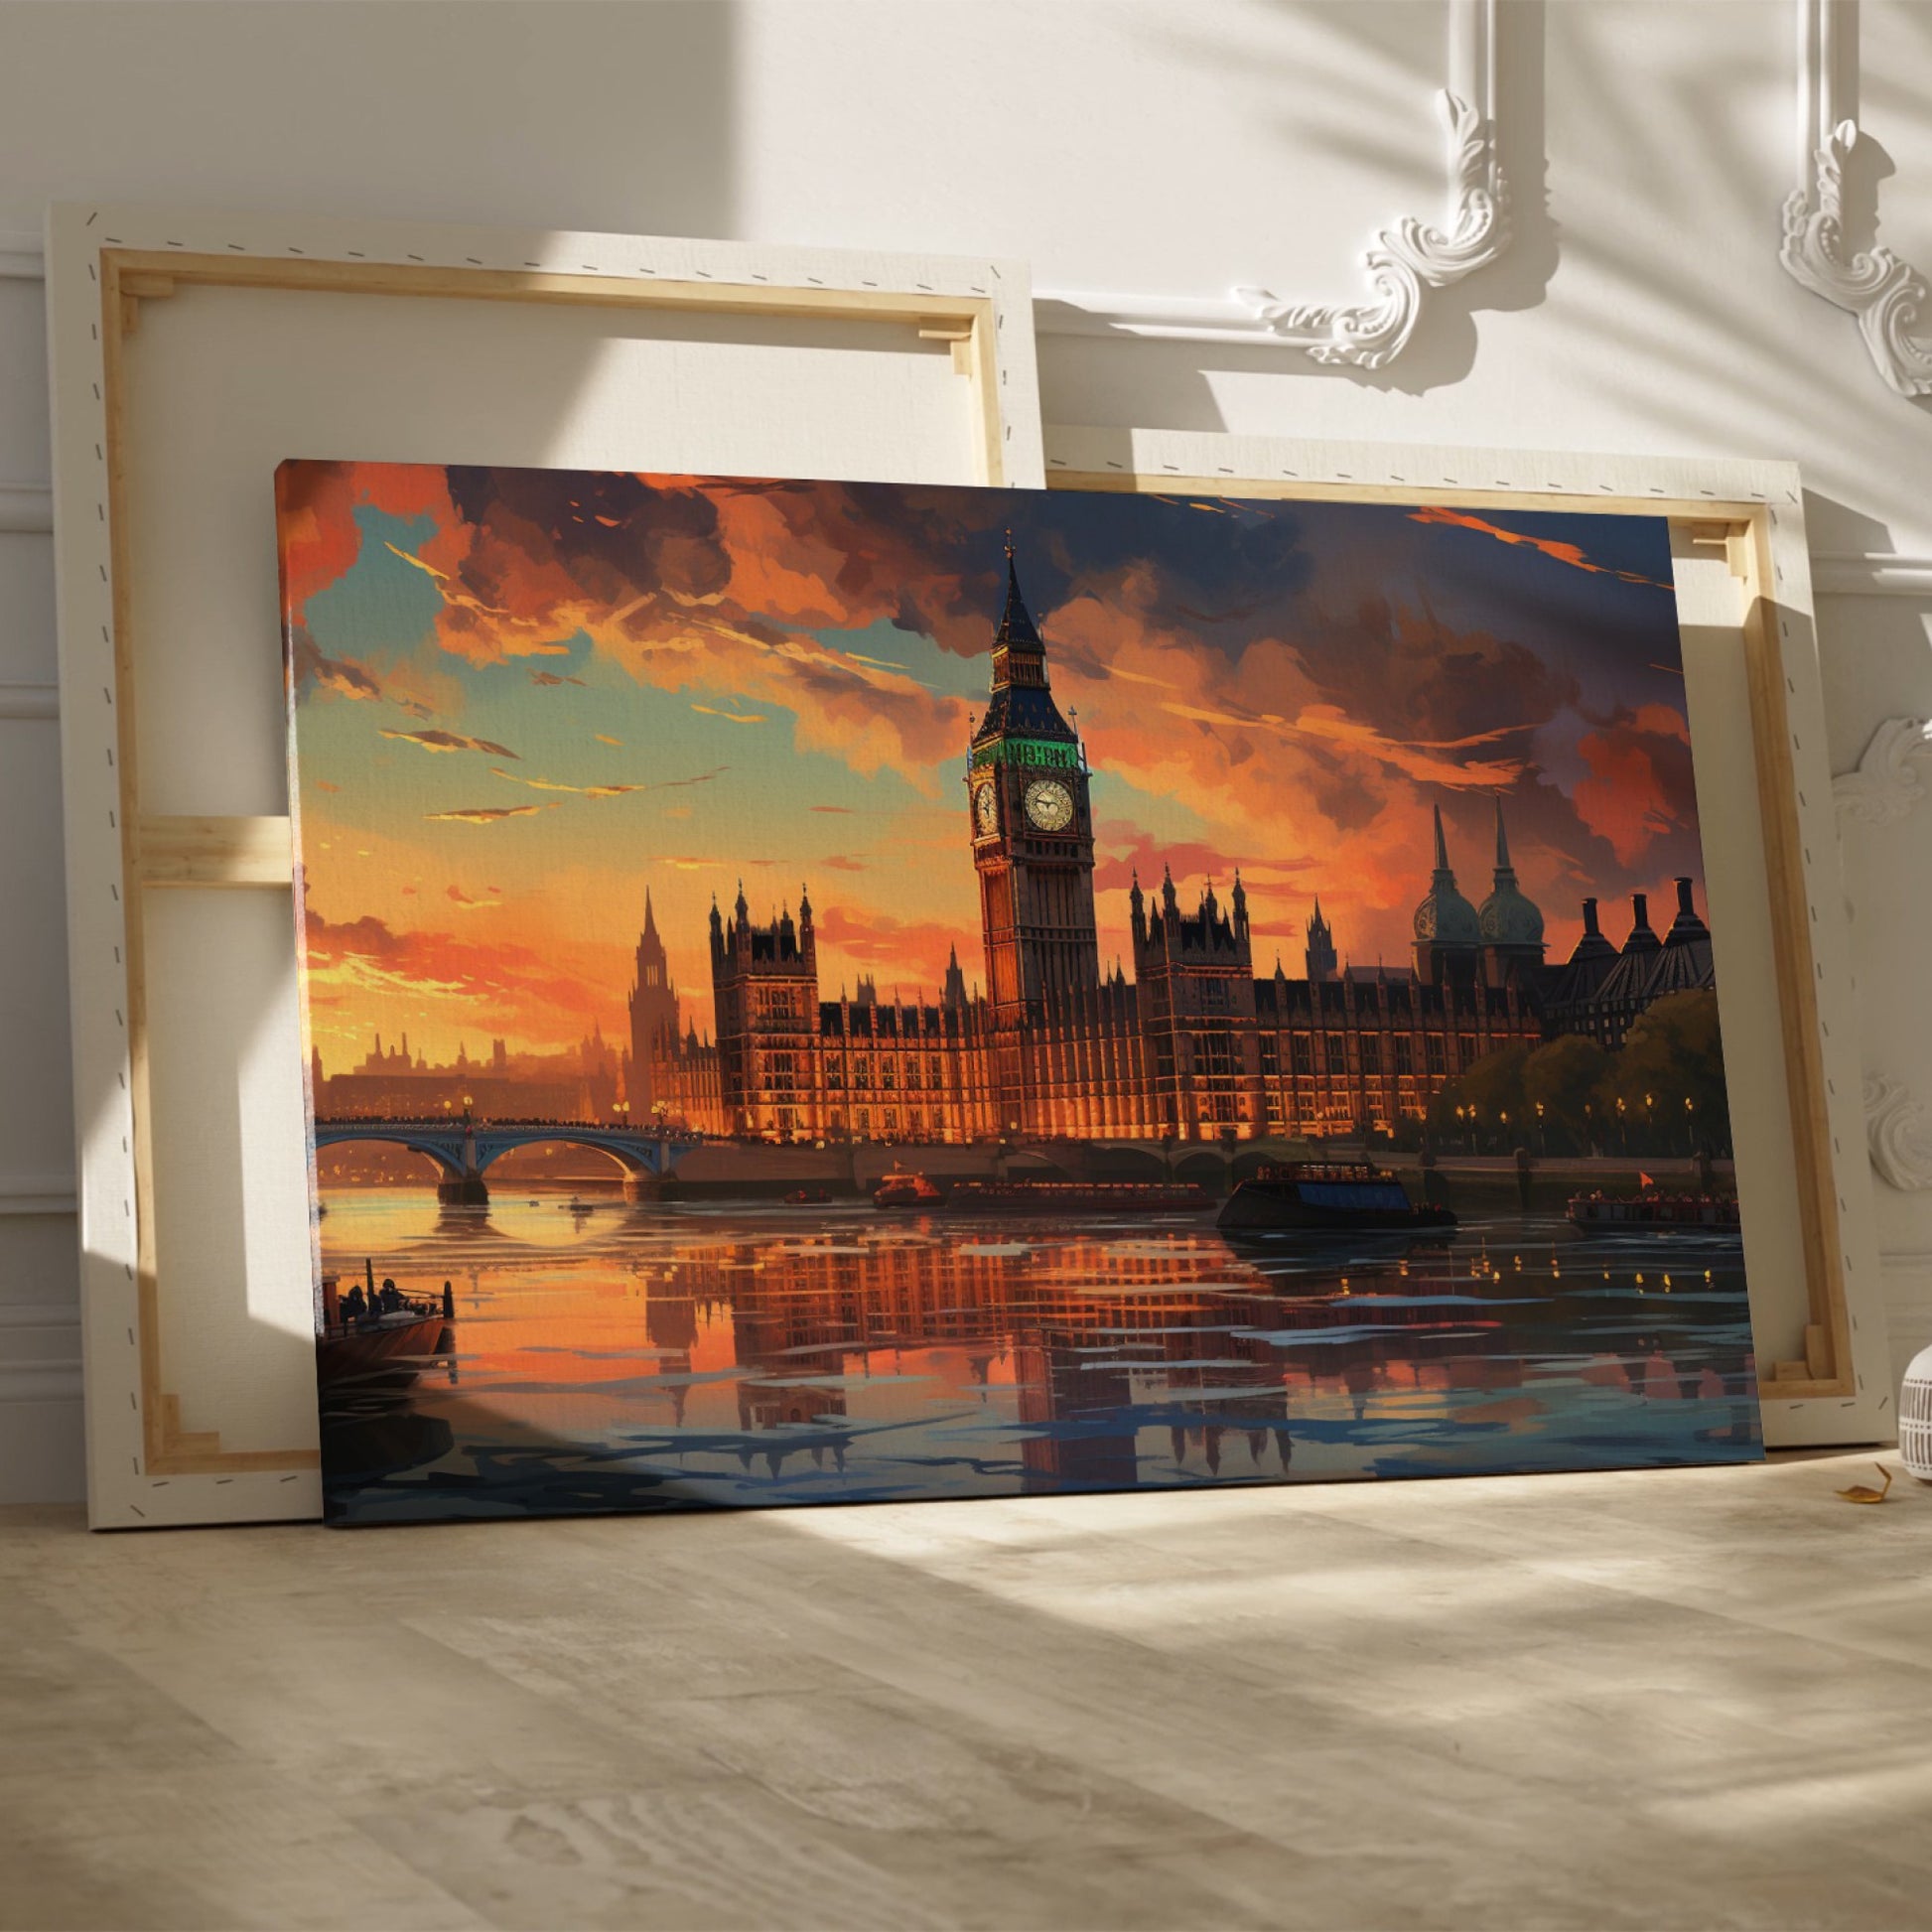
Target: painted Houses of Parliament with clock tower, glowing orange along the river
[(1193, 1046)]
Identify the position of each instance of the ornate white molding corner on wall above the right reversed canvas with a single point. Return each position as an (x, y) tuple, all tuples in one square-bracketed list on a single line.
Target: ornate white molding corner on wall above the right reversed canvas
[(1406, 264)]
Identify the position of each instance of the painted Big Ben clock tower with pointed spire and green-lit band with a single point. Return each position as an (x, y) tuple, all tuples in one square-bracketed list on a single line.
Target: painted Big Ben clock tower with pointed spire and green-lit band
[(1033, 830)]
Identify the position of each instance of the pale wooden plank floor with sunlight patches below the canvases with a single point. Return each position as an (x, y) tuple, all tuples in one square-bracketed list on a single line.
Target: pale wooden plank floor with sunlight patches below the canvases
[(1684, 1699)]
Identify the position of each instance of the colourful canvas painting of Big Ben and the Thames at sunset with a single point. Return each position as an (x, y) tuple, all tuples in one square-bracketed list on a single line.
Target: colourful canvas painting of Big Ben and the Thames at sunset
[(832, 992)]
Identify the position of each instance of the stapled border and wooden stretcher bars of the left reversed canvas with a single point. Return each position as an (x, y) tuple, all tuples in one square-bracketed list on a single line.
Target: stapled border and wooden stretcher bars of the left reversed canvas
[(101, 264)]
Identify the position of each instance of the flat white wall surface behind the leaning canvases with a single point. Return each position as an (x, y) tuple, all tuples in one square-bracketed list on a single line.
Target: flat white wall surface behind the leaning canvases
[(1122, 146)]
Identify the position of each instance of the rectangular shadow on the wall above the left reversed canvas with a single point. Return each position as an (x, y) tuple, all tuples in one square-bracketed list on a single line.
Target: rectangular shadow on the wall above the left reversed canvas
[(503, 115)]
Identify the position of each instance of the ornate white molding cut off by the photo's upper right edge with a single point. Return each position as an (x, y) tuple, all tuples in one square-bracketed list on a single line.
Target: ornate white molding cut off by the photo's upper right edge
[(1887, 295)]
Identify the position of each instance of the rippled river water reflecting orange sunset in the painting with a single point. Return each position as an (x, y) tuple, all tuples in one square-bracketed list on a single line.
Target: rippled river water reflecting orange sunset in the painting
[(747, 1355)]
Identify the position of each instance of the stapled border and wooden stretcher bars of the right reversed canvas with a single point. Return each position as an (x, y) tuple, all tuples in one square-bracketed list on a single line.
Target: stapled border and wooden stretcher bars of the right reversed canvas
[(1842, 1392)]
